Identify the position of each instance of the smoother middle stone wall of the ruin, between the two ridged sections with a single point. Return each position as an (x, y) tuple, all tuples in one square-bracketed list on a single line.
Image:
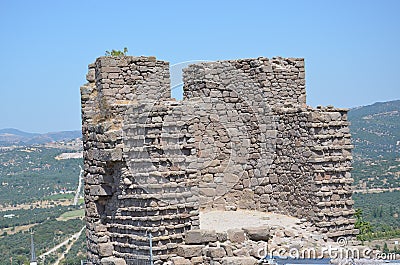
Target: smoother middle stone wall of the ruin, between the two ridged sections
[(259, 124)]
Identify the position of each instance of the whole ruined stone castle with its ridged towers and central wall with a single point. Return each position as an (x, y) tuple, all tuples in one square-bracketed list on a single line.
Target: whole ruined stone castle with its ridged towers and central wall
[(242, 138)]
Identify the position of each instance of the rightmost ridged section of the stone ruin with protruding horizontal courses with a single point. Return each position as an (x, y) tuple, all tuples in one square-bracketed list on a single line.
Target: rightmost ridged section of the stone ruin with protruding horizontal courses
[(331, 163)]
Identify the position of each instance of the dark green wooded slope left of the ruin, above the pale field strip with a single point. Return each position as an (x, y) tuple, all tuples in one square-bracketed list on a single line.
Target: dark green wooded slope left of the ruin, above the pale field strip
[(31, 173)]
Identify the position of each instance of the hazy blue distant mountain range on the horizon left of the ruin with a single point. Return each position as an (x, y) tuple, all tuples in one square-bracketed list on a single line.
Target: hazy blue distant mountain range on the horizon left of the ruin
[(12, 136)]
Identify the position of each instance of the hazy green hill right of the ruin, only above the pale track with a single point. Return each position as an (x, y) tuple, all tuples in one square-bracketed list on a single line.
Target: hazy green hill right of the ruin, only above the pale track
[(376, 137)]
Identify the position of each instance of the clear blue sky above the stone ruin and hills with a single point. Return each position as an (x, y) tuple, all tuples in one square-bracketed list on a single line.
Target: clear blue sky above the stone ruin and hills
[(352, 48)]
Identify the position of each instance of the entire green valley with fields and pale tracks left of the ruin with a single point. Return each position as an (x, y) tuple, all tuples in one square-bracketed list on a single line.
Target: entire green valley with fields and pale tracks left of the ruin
[(37, 187)]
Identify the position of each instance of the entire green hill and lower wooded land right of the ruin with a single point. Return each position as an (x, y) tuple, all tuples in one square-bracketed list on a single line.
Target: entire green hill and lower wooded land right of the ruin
[(376, 137)]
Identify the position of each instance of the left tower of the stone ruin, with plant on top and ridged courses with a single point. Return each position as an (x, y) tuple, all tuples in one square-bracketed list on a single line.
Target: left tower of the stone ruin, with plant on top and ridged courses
[(127, 194)]
